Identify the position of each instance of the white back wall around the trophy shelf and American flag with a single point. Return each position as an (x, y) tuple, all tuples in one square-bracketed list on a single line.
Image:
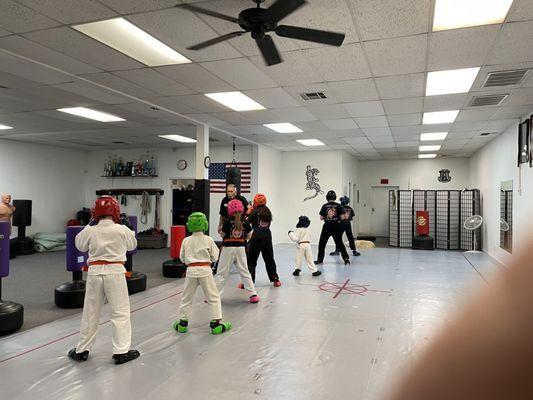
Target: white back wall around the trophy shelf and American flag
[(167, 159)]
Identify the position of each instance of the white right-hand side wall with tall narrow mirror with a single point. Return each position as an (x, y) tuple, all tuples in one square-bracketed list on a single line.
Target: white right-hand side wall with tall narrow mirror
[(494, 163)]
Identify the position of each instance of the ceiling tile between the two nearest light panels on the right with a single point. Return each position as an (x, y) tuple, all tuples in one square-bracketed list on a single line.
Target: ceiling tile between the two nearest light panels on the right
[(461, 48)]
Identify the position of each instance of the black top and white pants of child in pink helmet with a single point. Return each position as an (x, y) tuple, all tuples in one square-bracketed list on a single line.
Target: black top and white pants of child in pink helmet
[(234, 252)]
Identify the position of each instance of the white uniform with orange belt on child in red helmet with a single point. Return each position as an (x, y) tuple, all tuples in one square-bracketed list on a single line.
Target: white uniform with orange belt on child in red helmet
[(106, 242)]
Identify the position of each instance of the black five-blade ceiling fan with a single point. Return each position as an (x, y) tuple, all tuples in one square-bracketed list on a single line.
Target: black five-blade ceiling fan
[(259, 21)]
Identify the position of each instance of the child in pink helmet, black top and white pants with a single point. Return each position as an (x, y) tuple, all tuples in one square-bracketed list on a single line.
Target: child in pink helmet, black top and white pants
[(236, 232)]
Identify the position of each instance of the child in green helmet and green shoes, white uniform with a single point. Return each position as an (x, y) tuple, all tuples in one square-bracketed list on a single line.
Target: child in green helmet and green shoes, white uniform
[(198, 251)]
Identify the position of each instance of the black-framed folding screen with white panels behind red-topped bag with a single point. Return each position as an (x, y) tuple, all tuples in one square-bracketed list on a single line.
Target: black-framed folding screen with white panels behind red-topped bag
[(448, 209)]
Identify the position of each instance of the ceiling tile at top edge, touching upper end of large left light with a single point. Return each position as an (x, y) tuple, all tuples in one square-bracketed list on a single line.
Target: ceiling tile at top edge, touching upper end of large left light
[(72, 11)]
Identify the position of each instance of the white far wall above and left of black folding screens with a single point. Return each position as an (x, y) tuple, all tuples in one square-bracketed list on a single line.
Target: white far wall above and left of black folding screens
[(407, 174)]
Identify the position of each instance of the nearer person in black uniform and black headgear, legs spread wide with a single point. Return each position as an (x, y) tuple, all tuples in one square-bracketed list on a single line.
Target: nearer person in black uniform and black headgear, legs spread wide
[(330, 213)]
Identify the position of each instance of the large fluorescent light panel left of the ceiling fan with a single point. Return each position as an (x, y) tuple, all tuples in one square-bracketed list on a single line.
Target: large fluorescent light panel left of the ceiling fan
[(125, 37)]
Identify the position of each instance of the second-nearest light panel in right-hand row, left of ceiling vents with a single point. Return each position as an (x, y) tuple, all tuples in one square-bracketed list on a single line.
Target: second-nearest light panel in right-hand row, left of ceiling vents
[(451, 81)]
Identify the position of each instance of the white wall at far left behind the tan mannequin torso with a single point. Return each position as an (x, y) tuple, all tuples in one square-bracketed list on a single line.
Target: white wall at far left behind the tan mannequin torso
[(53, 178)]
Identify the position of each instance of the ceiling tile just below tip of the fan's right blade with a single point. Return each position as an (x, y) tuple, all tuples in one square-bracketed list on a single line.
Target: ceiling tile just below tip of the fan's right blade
[(339, 64)]
